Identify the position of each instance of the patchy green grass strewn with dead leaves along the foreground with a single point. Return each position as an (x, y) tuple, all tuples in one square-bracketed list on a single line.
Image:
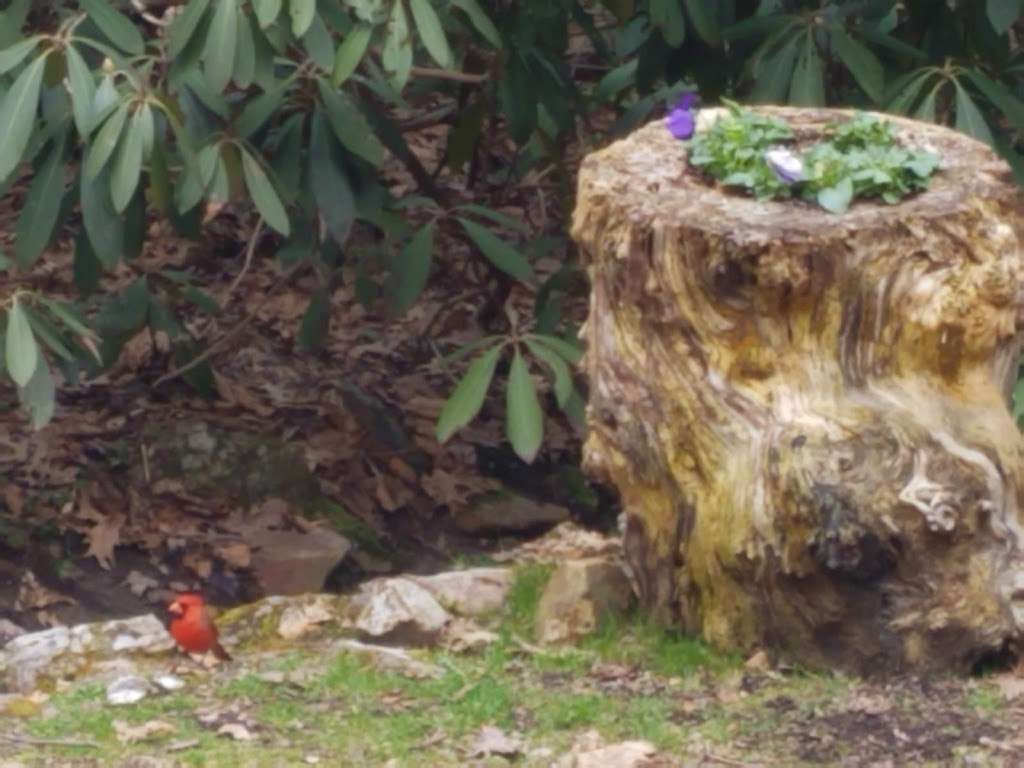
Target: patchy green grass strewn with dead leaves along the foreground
[(349, 713)]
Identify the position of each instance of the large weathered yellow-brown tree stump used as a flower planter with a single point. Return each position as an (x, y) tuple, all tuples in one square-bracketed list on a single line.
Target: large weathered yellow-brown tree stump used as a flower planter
[(806, 415)]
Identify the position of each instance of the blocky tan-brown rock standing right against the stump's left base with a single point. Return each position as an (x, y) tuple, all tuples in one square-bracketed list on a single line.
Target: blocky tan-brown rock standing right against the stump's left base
[(580, 594)]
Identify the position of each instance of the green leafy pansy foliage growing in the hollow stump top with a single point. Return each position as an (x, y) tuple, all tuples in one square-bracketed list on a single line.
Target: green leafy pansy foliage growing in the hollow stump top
[(861, 159)]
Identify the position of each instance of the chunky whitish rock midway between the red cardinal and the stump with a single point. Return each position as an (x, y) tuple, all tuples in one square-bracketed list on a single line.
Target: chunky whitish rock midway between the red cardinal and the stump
[(400, 612)]
